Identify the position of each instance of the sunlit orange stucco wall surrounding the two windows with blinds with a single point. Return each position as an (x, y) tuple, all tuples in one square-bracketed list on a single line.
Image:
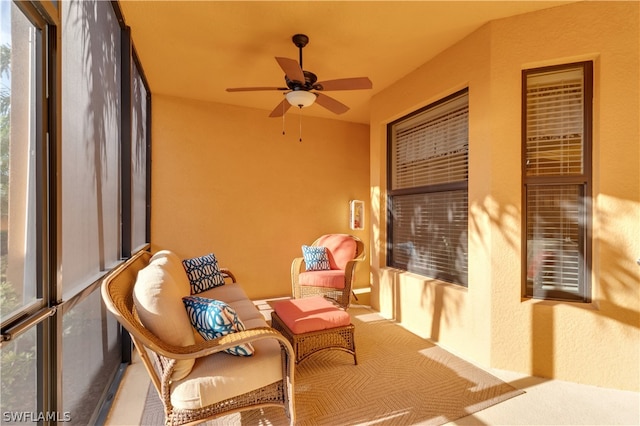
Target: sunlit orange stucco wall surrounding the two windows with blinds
[(489, 322)]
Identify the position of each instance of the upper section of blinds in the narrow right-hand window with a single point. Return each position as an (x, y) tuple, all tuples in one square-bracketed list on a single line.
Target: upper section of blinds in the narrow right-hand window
[(554, 130)]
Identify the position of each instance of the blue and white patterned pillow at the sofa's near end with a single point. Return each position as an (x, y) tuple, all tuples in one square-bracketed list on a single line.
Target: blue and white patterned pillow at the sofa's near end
[(213, 319)]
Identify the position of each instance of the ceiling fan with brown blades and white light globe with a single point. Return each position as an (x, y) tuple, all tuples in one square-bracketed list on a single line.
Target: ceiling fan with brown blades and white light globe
[(303, 88)]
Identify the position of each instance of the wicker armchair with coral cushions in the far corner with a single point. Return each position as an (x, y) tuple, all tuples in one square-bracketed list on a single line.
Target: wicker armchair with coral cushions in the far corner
[(344, 252)]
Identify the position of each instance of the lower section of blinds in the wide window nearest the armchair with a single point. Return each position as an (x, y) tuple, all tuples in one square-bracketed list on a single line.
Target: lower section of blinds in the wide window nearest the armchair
[(430, 234)]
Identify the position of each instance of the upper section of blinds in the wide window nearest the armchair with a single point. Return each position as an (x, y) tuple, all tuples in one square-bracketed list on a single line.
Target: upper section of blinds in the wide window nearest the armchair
[(432, 147)]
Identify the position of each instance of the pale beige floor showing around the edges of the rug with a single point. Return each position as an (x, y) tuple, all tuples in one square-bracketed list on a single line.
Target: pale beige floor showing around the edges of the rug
[(545, 402)]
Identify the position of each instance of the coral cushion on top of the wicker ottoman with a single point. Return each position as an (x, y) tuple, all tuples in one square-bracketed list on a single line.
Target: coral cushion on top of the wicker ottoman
[(311, 314)]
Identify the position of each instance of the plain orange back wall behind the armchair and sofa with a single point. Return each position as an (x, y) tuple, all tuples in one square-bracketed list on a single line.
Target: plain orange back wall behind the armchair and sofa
[(225, 180)]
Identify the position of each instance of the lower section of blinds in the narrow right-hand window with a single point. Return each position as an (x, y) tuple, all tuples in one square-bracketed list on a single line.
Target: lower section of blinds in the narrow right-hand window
[(554, 242)]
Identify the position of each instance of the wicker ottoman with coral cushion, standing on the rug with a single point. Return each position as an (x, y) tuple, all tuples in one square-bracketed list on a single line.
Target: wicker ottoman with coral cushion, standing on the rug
[(314, 324)]
